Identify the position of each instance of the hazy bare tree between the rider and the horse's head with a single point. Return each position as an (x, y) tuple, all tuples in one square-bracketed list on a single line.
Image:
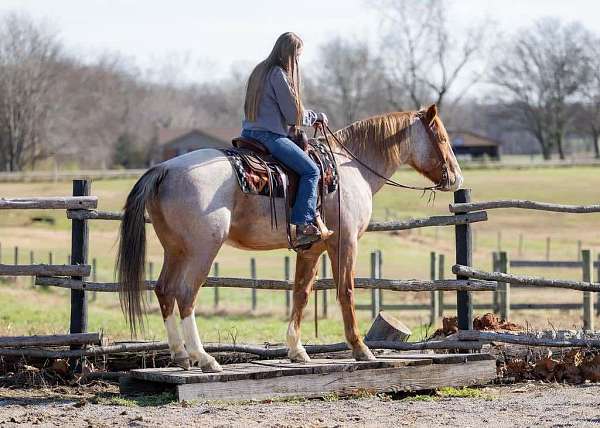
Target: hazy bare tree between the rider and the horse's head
[(343, 78)]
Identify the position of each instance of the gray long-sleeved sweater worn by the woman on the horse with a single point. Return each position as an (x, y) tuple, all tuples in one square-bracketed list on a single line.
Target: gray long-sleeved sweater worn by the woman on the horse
[(277, 107)]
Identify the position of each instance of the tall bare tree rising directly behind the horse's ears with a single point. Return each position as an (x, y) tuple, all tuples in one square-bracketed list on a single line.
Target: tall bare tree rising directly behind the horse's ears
[(424, 59)]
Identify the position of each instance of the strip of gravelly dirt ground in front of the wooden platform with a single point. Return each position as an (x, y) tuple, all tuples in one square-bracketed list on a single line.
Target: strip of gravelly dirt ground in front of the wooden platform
[(525, 404)]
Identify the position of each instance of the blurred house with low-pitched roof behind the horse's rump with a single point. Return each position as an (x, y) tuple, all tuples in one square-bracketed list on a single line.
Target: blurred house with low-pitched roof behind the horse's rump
[(177, 141)]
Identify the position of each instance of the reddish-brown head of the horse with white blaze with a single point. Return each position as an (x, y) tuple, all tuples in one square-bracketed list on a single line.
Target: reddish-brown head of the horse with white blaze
[(432, 154)]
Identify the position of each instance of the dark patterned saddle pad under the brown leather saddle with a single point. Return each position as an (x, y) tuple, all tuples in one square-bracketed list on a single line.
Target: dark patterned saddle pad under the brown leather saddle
[(253, 179)]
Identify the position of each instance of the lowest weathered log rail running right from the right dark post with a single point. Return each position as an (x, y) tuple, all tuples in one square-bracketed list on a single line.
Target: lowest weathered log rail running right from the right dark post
[(523, 339)]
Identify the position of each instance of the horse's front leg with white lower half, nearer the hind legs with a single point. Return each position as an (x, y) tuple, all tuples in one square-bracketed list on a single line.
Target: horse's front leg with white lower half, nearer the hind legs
[(306, 269)]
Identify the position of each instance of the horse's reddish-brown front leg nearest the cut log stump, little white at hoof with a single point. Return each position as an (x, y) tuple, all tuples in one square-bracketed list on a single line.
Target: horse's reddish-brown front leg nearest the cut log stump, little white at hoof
[(345, 289)]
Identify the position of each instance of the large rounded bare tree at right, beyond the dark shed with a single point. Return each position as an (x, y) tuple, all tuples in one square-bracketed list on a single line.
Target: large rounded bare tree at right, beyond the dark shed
[(541, 74)]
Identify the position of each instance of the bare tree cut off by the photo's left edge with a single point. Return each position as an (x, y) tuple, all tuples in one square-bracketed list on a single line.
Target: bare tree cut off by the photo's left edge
[(28, 70)]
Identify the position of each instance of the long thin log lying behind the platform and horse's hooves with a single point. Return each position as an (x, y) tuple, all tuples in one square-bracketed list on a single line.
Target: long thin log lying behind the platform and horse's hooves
[(261, 351)]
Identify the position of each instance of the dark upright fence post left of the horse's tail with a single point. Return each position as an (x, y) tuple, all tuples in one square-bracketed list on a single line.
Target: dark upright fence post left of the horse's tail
[(79, 254)]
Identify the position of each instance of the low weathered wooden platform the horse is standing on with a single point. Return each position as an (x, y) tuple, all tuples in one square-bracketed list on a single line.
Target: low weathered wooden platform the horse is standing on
[(280, 378)]
